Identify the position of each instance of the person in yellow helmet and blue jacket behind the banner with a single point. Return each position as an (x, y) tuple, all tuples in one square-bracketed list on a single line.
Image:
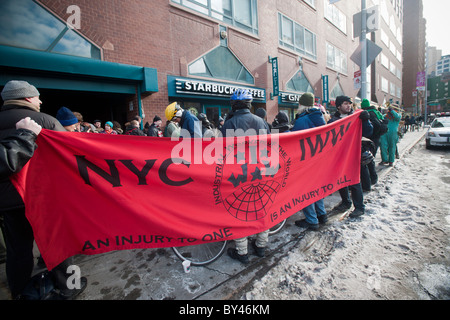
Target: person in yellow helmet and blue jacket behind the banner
[(189, 123)]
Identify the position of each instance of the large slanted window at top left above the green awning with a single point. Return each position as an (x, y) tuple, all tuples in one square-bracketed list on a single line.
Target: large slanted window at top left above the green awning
[(25, 24)]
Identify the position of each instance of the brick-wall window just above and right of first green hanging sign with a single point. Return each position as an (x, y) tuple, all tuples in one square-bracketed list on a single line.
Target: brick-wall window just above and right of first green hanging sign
[(296, 37)]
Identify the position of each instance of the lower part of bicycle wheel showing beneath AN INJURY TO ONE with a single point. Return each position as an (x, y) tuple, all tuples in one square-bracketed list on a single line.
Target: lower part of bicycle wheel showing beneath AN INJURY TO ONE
[(201, 254)]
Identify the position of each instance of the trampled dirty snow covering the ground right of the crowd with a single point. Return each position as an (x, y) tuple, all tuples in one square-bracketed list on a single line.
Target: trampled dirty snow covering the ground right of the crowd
[(398, 250)]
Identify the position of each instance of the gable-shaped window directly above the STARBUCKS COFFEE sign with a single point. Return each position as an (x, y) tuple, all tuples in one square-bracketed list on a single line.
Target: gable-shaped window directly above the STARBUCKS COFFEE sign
[(221, 63)]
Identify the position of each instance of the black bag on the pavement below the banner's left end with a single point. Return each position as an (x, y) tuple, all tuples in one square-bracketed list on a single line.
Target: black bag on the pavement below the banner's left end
[(40, 287)]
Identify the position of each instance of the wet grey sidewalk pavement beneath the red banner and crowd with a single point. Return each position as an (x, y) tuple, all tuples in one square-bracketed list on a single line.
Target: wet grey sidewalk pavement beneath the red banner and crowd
[(157, 274)]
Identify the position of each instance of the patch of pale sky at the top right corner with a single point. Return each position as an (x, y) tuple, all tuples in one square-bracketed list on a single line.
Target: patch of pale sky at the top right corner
[(437, 13)]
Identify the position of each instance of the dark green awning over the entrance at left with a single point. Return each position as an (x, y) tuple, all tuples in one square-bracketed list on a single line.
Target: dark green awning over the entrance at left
[(58, 71)]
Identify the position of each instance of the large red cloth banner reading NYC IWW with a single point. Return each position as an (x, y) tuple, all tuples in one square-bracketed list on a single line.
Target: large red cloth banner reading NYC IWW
[(89, 193)]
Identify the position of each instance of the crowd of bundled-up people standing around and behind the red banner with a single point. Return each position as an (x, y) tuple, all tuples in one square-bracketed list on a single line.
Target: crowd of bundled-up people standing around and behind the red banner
[(21, 122)]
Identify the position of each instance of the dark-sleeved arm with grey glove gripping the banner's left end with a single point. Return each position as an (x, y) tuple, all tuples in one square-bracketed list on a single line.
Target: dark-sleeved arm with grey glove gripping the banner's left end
[(18, 148)]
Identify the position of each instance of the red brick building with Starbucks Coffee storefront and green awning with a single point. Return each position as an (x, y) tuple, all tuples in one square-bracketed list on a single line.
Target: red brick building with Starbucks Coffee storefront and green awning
[(142, 55)]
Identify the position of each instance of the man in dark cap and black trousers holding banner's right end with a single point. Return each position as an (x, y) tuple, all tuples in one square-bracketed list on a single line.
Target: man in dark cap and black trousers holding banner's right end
[(344, 109)]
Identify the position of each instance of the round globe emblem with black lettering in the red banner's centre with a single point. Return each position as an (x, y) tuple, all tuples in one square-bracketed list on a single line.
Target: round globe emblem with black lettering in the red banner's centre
[(249, 185)]
